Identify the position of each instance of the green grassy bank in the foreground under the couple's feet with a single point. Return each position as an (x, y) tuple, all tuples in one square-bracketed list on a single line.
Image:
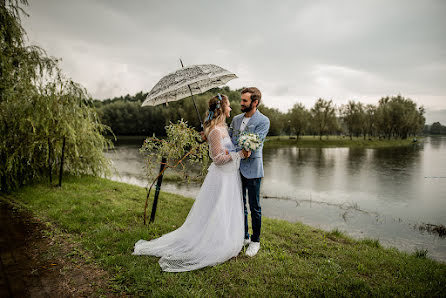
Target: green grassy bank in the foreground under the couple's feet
[(105, 219)]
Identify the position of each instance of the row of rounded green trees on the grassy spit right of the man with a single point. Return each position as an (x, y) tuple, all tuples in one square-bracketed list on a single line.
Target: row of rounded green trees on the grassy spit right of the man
[(392, 117)]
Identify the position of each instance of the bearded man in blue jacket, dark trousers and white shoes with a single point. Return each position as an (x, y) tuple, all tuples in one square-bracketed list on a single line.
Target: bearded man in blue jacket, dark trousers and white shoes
[(251, 169)]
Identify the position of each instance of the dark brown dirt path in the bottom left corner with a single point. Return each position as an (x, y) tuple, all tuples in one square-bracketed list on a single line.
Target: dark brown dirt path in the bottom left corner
[(31, 265)]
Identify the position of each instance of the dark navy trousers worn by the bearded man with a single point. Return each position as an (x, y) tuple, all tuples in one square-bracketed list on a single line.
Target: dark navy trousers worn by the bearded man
[(252, 186)]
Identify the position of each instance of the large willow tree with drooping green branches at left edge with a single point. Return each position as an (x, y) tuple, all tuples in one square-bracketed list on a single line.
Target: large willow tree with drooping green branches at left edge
[(39, 109)]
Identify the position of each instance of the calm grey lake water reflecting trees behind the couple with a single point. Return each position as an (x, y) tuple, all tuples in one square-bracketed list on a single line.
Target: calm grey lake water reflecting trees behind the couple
[(389, 194)]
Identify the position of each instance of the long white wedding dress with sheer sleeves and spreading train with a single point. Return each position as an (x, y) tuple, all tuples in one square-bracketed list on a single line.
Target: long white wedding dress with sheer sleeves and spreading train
[(214, 228)]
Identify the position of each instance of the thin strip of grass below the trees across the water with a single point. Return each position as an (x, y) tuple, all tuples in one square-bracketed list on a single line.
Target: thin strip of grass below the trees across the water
[(336, 141)]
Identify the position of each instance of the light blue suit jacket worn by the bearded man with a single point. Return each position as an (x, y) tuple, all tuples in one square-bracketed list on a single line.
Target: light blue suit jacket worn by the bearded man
[(251, 167)]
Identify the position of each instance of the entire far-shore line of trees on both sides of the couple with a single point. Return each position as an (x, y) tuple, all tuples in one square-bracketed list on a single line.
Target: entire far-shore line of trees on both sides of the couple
[(392, 117)]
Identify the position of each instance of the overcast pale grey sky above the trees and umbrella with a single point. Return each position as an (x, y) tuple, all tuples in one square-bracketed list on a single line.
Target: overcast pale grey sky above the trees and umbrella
[(293, 51)]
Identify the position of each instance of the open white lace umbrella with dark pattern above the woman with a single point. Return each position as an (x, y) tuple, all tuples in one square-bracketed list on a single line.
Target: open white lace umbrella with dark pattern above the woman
[(188, 81)]
